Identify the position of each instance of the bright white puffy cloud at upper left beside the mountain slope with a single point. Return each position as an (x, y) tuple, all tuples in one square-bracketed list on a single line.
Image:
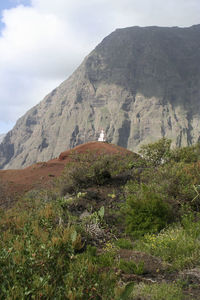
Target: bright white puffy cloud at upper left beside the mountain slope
[(37, 43)]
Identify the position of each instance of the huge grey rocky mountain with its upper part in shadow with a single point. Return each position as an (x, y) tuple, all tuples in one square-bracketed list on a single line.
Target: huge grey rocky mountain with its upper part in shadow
[(138, 84)]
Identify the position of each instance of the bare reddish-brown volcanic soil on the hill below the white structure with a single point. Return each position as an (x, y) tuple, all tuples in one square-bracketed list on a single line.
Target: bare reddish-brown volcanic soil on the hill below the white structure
[(41, 174)]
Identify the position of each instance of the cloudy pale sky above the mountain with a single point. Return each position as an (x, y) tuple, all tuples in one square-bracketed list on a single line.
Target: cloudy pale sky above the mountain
[(43, 41)]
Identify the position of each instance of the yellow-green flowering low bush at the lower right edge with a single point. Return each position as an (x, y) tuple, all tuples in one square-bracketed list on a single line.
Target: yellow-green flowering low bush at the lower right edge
[(179, 244)]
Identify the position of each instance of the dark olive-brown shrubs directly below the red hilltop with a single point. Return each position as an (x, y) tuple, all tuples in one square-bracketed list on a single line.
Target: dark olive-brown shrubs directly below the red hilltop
[(93, 168)]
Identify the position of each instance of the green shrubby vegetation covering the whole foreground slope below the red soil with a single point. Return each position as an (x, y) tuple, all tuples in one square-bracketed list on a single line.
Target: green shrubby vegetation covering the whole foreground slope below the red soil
[(111, 227)]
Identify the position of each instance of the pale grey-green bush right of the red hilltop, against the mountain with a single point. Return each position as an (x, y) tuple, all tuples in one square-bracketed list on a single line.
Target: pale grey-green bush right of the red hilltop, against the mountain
[(156, 153)]
